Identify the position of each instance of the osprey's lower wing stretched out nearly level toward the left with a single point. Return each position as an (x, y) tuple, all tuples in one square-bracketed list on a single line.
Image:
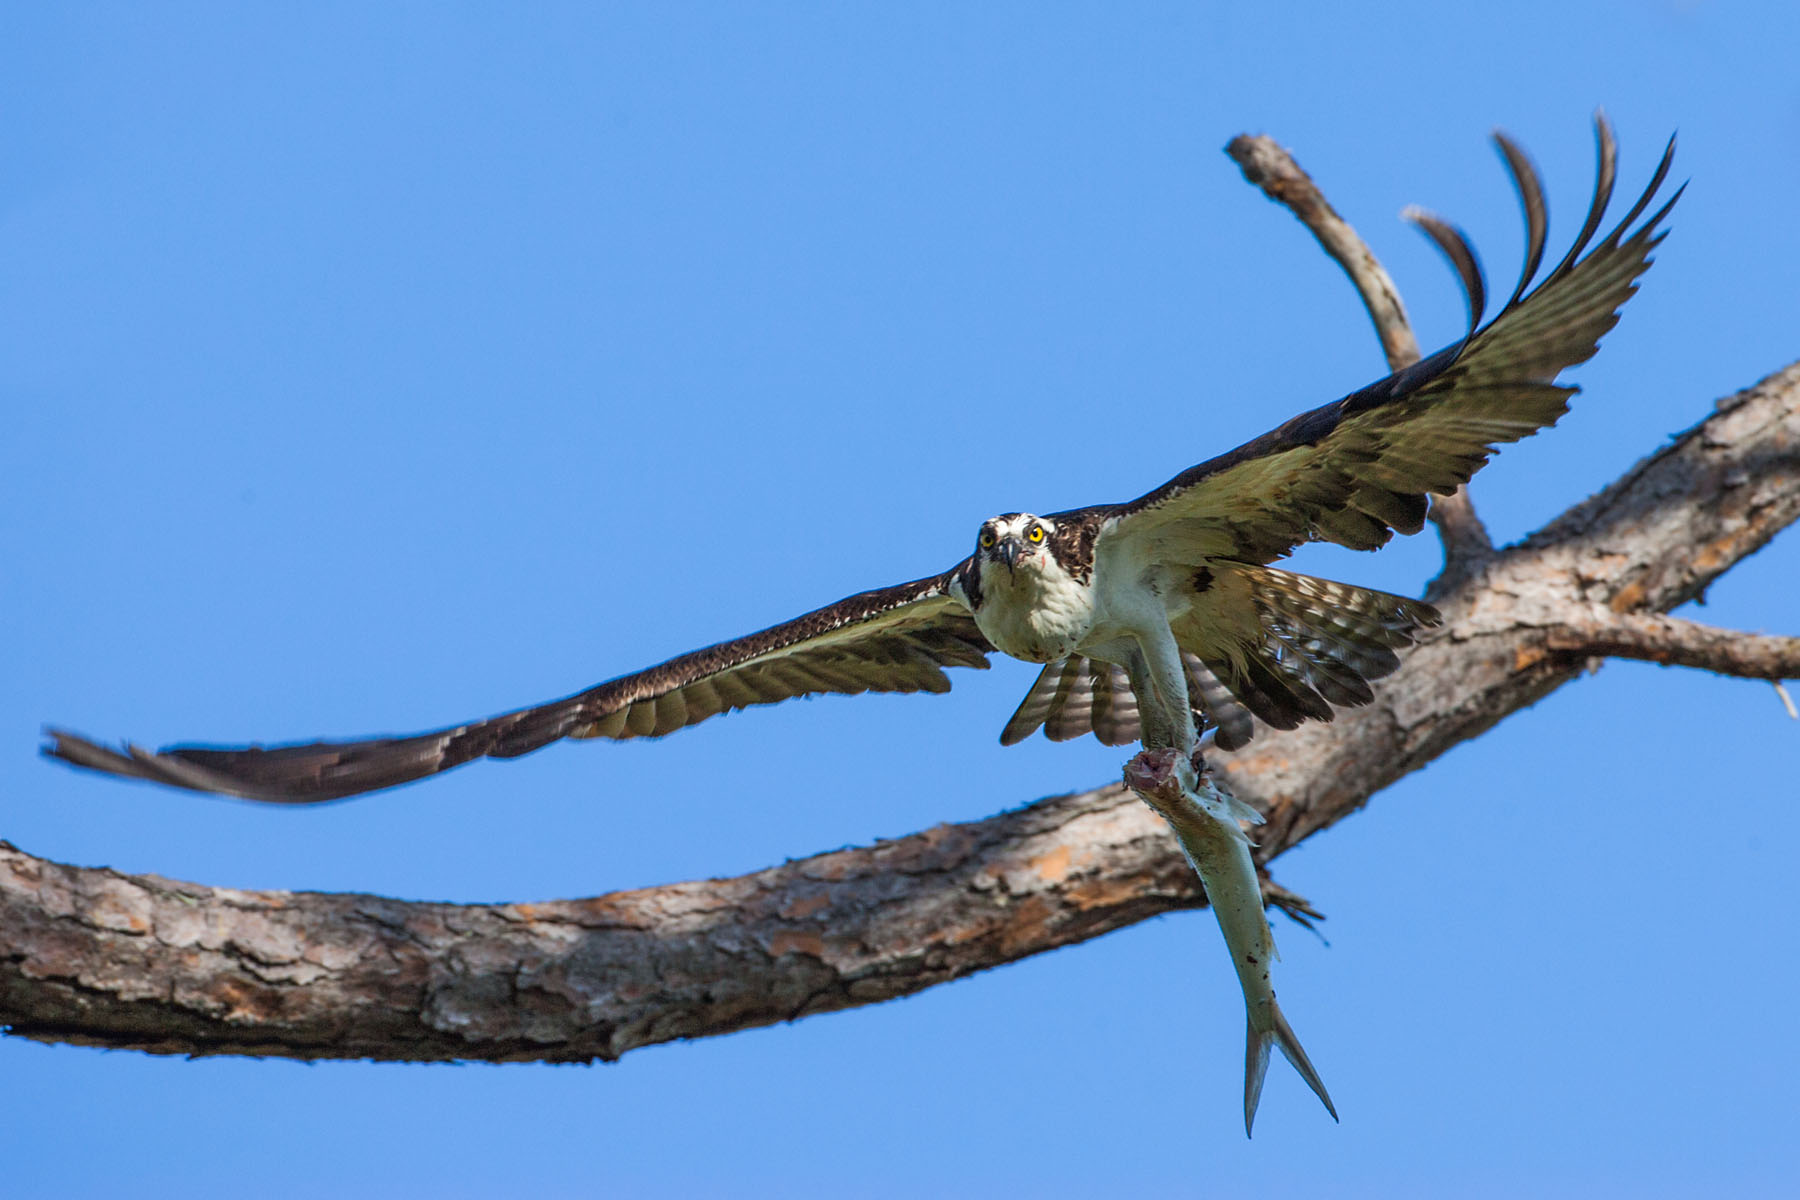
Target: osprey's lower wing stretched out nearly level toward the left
[(892, 640)]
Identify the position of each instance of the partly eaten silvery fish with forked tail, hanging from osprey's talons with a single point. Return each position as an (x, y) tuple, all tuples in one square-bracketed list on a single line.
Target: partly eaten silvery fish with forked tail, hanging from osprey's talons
[(1205, 819)]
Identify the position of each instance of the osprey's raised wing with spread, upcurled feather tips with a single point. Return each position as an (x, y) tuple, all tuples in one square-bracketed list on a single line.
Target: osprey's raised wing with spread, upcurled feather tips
[(1360, 469)]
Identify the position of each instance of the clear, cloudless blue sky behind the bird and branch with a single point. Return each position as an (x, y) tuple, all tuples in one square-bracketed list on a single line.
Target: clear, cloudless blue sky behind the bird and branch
[(377, 370)]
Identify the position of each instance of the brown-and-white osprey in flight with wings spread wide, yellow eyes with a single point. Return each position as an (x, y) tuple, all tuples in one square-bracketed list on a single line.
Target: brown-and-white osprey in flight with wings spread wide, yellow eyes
[(1155, 620)]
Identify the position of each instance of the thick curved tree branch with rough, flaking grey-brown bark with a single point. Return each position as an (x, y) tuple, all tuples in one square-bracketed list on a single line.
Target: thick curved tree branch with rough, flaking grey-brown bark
[(98, 958)]
